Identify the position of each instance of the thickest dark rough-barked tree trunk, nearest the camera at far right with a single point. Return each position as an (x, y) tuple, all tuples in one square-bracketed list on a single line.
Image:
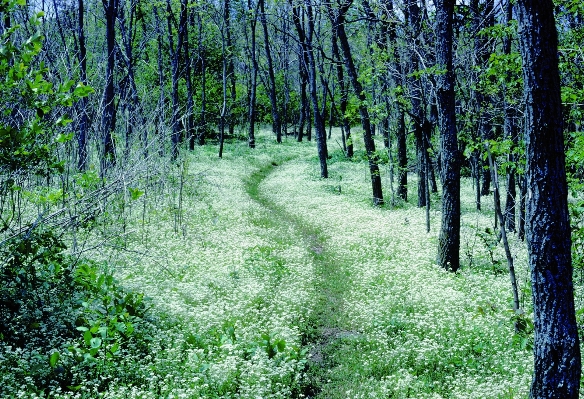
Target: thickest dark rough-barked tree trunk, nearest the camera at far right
[(557, 363)]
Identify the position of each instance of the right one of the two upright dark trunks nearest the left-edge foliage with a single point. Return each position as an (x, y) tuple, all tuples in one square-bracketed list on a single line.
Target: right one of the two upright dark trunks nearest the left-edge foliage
[(108, 119)]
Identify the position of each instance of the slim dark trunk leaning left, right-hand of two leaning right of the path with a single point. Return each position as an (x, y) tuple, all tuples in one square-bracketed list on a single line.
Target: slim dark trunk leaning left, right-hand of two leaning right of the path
[(363, 112)]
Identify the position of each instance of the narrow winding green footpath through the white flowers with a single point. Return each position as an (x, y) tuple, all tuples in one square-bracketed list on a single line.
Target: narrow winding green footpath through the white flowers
[(325, 324)]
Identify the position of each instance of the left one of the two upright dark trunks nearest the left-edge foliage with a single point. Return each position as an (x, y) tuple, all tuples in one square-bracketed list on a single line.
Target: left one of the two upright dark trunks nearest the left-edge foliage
[(82, 104)]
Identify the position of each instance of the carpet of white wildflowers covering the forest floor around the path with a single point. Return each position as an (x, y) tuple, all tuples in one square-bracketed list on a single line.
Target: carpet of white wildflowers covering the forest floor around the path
[(266, 281)]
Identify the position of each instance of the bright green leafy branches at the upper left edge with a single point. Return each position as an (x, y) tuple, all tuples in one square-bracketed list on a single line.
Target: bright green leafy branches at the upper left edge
[(28, 123)]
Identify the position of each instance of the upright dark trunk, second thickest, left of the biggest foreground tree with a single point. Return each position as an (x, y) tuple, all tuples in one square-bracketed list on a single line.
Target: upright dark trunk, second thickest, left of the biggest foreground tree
[(449, 239)]
